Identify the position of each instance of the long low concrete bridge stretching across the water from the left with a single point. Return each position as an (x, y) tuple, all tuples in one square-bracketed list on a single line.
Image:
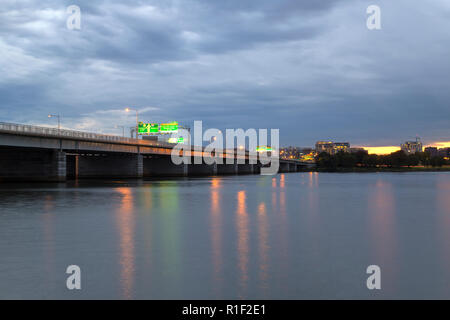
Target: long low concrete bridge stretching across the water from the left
[(32, 153)]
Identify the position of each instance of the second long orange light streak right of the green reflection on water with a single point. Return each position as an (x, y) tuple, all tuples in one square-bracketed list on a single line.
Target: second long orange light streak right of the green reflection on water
[(243, 247)]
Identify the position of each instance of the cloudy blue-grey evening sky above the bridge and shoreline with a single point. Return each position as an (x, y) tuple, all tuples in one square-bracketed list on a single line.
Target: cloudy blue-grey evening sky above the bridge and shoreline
[(309, 68)]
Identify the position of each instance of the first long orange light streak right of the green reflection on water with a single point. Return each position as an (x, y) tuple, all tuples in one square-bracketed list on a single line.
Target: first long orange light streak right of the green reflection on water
[(216, 235)]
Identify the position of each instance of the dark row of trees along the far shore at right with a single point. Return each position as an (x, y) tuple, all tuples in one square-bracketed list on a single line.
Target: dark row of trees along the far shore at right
[(362, 159)]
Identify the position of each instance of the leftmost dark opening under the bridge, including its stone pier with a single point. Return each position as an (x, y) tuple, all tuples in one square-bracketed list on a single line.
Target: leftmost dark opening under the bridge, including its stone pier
[(23, 164)]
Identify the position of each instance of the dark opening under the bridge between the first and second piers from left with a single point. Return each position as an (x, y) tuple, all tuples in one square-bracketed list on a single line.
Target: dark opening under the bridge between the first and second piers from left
[(110, 166)]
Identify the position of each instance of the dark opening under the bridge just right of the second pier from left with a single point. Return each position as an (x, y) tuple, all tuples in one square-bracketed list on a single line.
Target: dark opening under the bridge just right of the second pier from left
[(163, 166)]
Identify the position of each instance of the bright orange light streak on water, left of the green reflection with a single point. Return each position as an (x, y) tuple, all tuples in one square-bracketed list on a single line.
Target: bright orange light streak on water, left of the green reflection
[(125, 223)]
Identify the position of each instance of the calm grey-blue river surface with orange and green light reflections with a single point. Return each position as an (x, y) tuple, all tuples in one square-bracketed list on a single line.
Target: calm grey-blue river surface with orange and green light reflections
[(291, 236)]
